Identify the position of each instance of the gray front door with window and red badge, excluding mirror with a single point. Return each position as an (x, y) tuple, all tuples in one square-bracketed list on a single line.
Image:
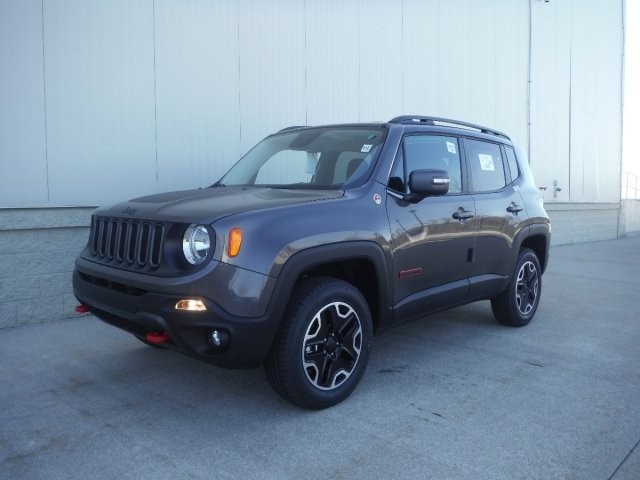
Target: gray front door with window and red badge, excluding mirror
[(432, 239)]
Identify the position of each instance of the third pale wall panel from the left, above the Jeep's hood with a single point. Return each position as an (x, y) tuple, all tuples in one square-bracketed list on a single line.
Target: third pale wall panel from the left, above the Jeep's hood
[(198, 112)]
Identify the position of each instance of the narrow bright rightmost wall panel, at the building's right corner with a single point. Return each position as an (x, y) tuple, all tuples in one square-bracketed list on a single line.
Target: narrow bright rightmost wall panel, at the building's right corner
[(596, 66)]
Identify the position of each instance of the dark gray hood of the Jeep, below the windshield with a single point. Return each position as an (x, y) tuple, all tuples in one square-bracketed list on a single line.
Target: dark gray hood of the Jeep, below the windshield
[(209, 204)]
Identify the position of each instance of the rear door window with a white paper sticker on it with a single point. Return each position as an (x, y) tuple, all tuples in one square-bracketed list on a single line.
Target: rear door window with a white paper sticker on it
[(486, 165)]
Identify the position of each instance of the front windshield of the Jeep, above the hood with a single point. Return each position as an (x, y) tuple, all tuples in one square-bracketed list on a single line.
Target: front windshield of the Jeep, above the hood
[(325, 157)]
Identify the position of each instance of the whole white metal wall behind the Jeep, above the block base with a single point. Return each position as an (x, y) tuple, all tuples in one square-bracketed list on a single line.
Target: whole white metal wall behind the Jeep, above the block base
[(101, 101)]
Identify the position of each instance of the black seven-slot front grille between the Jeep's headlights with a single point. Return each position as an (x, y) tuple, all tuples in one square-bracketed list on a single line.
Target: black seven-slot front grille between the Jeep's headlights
[(129, 243)]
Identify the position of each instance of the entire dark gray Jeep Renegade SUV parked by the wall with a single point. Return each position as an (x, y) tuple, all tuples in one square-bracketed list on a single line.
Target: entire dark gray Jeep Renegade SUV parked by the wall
[(317, 238)]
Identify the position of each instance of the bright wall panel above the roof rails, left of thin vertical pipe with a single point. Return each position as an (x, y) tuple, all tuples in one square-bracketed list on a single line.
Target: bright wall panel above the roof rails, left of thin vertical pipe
[(467, 60)]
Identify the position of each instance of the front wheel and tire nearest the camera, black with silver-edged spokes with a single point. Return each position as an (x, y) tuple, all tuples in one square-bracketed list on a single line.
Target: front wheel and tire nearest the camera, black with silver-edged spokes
[(323, 346)]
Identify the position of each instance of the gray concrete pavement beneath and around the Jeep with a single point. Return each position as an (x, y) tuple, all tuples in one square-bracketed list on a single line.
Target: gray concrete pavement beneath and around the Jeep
[(453, 396)]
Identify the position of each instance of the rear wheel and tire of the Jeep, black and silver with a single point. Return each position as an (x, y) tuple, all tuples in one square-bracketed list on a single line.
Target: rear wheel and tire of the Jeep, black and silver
[(516, 306)]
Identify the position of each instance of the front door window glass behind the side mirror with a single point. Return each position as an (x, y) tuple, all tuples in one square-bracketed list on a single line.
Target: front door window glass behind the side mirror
[(427, 152)]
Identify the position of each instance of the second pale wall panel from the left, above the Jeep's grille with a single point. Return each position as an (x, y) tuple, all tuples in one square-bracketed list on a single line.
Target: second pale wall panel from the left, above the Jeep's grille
[(100, 100)]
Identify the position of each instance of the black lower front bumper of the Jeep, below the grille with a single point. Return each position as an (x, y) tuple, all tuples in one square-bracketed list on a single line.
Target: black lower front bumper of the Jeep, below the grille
[(140, 312)]
